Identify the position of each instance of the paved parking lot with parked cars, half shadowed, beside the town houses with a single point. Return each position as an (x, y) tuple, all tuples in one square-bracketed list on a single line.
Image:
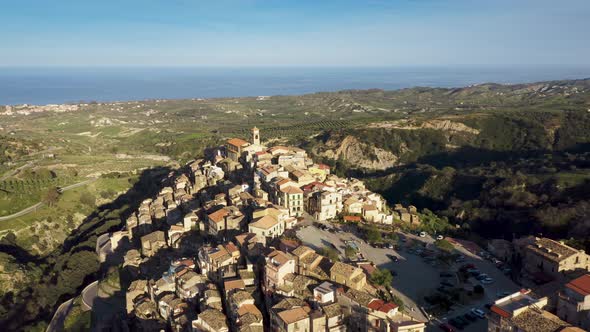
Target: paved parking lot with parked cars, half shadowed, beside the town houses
[(416, 277)]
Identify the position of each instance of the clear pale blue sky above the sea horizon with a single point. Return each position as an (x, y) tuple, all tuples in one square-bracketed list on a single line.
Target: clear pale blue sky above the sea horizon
[(294, 33)]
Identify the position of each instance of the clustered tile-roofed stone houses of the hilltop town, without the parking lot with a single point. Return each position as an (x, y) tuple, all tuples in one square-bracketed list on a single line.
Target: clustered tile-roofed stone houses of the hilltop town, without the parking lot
[(245, 270)]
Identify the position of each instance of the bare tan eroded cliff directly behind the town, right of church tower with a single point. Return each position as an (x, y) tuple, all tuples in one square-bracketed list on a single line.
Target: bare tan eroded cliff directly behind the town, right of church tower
[(357, 153)]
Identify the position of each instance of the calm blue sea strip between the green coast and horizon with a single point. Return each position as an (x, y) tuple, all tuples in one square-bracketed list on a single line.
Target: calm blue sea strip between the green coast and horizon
[(58, 85)]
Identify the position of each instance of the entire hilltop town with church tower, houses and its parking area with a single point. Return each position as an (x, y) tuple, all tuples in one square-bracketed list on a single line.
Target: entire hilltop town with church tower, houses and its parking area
[(247, 239)]
